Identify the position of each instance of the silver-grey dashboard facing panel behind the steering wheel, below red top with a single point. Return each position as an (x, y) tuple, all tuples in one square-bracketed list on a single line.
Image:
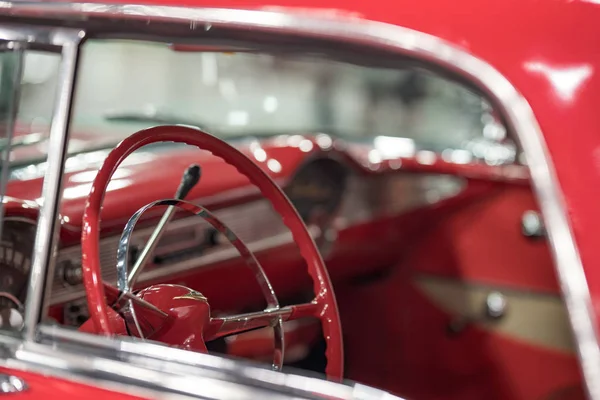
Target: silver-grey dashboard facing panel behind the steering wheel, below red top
[(330, 196)]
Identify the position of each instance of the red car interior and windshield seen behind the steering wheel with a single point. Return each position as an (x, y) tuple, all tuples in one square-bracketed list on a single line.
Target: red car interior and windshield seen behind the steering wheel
[(414, 190)]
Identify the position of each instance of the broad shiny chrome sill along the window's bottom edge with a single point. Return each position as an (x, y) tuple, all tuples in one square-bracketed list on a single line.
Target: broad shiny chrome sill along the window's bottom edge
[(149, 365)]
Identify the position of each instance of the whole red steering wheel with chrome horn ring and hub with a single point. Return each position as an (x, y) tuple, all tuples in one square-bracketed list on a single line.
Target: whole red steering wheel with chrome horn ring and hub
[(177, 315)]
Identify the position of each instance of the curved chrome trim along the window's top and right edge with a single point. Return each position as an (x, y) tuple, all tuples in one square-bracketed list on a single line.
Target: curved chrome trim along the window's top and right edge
[(408, 42)]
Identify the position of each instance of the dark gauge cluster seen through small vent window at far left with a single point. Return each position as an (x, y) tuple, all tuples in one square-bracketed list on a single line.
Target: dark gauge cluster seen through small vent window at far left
[(16, 247)]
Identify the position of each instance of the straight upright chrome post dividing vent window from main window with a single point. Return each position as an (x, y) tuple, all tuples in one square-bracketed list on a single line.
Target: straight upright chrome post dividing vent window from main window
[(48, 222)]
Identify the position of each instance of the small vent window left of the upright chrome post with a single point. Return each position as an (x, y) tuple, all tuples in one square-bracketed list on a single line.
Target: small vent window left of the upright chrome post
[(23, 128)]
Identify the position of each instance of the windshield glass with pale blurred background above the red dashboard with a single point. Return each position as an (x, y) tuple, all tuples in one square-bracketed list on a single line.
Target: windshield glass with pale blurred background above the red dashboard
[(125, 86)]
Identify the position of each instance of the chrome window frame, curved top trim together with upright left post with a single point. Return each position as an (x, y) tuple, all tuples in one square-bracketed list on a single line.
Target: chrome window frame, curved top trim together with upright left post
[(396, 39)]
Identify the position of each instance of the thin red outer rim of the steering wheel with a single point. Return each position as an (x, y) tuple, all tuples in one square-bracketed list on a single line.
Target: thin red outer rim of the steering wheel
[(90, 239)]
